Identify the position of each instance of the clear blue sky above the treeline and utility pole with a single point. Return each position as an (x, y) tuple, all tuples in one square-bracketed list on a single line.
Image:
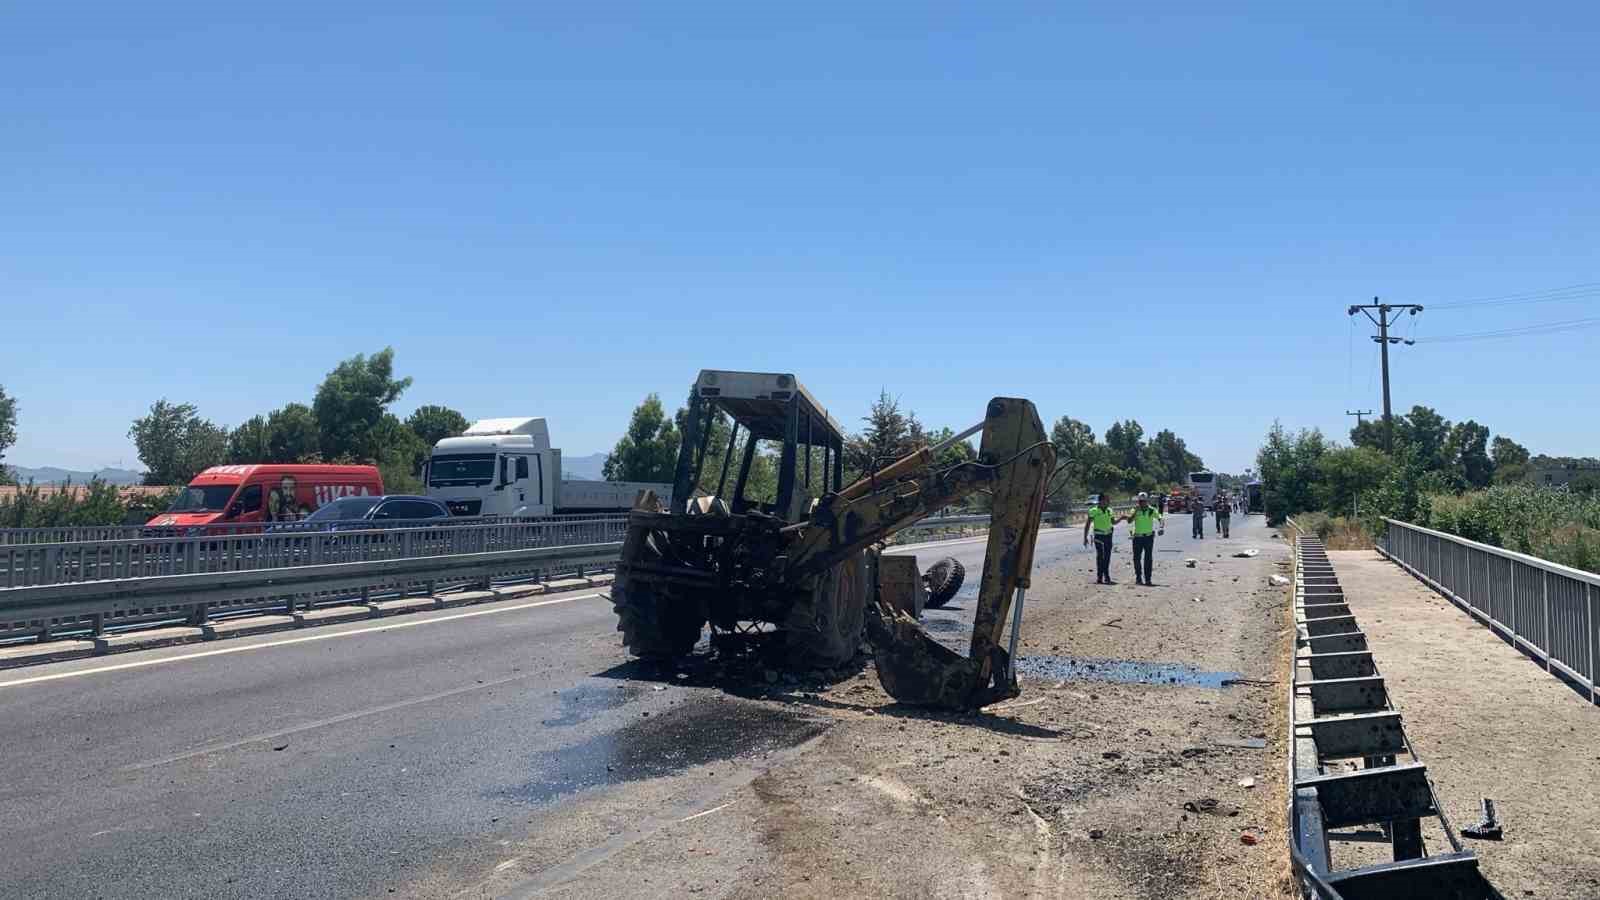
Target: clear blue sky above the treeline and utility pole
[(558, 209)]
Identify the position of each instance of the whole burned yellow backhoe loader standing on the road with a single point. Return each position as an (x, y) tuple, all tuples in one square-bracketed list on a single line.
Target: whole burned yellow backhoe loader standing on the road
[(807, 561)]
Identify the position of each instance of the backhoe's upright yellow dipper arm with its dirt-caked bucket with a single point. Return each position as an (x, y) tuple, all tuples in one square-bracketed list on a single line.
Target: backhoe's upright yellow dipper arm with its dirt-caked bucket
[(1017, 462)]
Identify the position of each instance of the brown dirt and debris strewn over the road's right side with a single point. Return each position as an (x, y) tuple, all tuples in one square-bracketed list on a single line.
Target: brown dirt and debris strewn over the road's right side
[(1079, 789)]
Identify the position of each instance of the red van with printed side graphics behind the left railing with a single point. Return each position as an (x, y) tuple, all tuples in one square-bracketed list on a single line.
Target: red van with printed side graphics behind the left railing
[(266, 494)]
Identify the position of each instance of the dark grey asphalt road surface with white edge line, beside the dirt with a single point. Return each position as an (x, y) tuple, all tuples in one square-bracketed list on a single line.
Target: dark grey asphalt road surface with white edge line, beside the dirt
[(369, 758)]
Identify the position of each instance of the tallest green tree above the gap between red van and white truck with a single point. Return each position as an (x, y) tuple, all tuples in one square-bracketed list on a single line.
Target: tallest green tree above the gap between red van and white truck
[(351, 404)]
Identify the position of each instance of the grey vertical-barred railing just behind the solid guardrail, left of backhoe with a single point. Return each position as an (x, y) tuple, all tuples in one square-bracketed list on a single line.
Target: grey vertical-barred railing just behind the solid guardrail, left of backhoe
[(33, 565)]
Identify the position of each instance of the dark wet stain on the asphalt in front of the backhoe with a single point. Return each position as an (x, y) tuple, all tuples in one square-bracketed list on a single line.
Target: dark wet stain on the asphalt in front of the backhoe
[(663, 745)]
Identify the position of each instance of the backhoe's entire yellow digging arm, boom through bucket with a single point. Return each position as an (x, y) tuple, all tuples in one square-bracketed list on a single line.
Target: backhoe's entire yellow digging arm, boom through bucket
[(1015, 462)]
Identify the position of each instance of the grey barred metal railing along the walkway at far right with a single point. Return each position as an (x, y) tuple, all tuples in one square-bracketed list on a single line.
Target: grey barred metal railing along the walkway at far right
[(1542, 608)]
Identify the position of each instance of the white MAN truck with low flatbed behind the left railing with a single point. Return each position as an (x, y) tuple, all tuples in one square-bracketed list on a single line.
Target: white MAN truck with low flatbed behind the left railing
[(506, 467)]
